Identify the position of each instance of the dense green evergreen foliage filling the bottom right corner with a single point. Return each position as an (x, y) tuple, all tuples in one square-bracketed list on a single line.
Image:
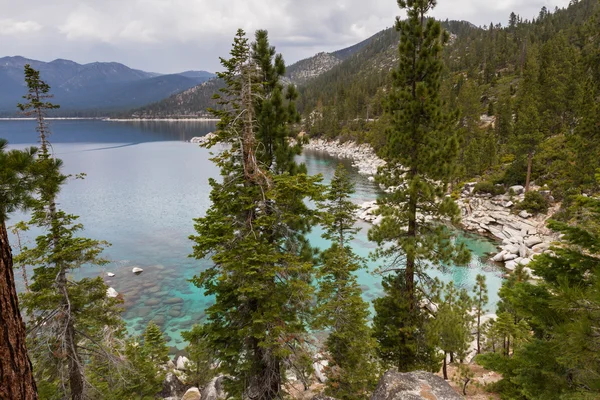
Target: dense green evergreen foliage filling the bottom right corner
[(556, 351)]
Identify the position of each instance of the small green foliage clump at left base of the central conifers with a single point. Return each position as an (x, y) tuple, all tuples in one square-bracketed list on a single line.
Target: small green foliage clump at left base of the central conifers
[(200, 367)]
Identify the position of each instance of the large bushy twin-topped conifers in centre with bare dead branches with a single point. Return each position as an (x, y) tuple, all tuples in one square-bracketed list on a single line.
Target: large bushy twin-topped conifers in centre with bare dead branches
[(255, 229)]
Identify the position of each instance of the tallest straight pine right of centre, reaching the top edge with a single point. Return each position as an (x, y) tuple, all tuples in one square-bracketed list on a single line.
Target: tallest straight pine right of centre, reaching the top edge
[(420, 152)]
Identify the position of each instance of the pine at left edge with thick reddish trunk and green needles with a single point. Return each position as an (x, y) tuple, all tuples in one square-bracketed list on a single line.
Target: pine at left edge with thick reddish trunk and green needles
[(17, 185)]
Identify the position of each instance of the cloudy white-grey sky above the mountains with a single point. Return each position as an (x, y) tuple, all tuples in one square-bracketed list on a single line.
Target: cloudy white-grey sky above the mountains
[(175, 35)]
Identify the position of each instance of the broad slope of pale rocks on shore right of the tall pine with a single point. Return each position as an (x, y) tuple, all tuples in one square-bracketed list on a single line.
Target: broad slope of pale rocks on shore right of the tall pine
[(523, 235)]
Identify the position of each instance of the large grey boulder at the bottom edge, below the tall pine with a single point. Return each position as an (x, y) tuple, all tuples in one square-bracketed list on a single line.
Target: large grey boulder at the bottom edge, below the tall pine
[(417, 385)]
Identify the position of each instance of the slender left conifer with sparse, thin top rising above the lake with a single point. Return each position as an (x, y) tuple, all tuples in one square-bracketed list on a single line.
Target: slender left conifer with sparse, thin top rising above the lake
[(65, 316)]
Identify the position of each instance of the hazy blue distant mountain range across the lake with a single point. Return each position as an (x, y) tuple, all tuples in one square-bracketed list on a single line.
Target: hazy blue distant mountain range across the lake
[(92, 89)]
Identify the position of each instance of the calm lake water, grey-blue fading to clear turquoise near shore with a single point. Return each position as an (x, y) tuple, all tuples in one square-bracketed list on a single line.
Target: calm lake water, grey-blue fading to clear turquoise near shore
[(144, 186)]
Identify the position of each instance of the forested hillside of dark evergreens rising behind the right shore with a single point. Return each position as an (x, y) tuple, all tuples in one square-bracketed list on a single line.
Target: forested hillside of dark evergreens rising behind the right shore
[(523, 92)]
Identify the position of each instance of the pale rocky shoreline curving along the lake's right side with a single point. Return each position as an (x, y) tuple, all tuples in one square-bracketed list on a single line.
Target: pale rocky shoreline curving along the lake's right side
[(522, 235)]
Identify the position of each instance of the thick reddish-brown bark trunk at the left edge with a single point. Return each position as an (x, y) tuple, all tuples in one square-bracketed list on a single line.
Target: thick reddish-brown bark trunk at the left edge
[(16, 373)]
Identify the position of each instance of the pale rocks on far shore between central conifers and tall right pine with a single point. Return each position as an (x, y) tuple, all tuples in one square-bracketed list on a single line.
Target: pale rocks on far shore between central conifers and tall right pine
[(362, 155)]
